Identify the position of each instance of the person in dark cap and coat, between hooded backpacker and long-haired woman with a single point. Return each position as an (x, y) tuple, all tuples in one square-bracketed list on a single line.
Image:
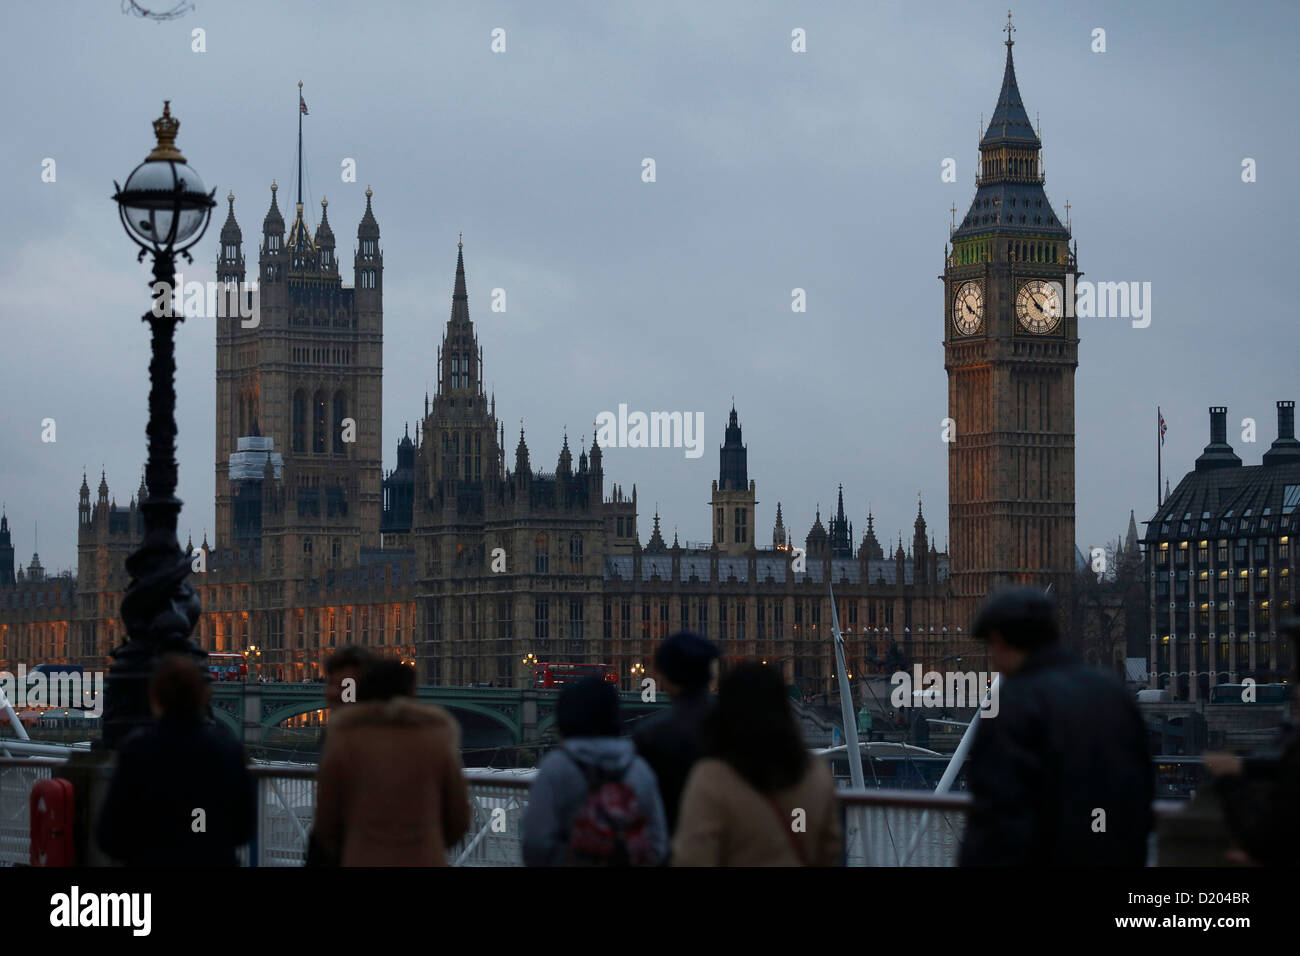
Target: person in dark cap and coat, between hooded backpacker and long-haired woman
[(671, 742)]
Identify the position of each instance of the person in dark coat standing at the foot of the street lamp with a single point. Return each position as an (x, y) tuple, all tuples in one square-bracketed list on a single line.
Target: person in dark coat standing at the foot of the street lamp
[(181, 794)]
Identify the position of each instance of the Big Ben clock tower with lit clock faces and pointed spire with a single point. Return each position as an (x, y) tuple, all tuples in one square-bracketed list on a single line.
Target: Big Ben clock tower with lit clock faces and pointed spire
[(1011, 351)]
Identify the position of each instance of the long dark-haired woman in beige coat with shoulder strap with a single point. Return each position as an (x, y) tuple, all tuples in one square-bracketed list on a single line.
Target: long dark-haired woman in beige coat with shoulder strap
[(759, 798)]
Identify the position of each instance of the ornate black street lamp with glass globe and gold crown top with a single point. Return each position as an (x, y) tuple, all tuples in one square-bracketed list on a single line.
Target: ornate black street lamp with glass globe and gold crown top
[(166, 211)]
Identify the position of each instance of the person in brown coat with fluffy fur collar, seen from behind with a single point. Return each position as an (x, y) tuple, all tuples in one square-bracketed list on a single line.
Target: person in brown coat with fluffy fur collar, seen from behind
[(392, 791)]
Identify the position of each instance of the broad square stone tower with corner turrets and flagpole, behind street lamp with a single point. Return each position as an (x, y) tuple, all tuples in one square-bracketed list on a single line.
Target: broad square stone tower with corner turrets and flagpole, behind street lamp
[(301, 386)]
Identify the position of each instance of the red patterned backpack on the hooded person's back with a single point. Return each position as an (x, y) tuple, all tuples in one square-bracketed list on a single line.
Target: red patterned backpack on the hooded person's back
[(610, 828)]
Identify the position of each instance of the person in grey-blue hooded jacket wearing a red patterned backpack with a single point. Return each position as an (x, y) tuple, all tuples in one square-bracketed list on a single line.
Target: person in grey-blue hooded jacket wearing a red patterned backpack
[(595, 802)]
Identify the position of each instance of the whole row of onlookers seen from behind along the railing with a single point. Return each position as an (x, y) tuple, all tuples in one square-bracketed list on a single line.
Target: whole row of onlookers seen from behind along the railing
[(1060, 776)]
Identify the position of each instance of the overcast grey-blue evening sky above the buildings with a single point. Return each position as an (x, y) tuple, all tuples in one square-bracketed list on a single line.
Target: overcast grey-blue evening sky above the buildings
[(774, 171)]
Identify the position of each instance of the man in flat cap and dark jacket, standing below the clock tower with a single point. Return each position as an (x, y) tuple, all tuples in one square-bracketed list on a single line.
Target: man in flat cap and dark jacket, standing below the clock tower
[(1061, 775)]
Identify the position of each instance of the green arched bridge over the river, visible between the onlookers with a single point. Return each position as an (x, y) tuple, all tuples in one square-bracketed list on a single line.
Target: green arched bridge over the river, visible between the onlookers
[(488, 716)]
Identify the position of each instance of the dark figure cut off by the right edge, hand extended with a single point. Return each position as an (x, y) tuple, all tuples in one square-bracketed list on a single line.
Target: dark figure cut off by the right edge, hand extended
[(1262, 795)]
